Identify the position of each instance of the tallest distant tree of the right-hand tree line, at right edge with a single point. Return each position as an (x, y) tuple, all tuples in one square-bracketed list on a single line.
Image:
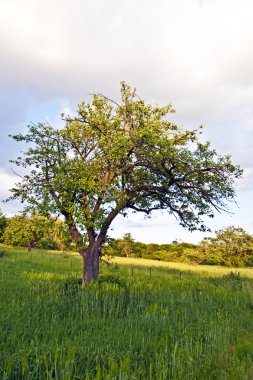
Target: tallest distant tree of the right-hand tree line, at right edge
[(230, 246)]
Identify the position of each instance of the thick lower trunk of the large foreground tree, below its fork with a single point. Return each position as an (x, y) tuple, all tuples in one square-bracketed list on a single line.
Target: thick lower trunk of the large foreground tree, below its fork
[(91, 264)]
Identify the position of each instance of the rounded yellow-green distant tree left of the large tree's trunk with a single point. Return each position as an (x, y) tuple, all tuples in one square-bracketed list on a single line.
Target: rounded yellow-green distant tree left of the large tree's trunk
[(35, 231)]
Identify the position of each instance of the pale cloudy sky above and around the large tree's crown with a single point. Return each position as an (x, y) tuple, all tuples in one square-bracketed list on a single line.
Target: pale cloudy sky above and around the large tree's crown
[(195, 54)]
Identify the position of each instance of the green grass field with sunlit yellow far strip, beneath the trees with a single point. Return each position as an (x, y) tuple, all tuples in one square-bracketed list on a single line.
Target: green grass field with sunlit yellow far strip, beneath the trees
[(143, 320)]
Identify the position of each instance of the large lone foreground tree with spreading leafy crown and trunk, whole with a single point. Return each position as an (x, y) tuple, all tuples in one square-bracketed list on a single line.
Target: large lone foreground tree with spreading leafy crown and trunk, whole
[(119, 156)]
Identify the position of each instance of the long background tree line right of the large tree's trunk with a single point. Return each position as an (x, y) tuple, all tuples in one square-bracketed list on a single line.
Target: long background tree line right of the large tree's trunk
[(230, 246)]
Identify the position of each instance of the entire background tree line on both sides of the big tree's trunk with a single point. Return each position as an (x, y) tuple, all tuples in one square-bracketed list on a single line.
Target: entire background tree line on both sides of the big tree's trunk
[(230, 246)]
